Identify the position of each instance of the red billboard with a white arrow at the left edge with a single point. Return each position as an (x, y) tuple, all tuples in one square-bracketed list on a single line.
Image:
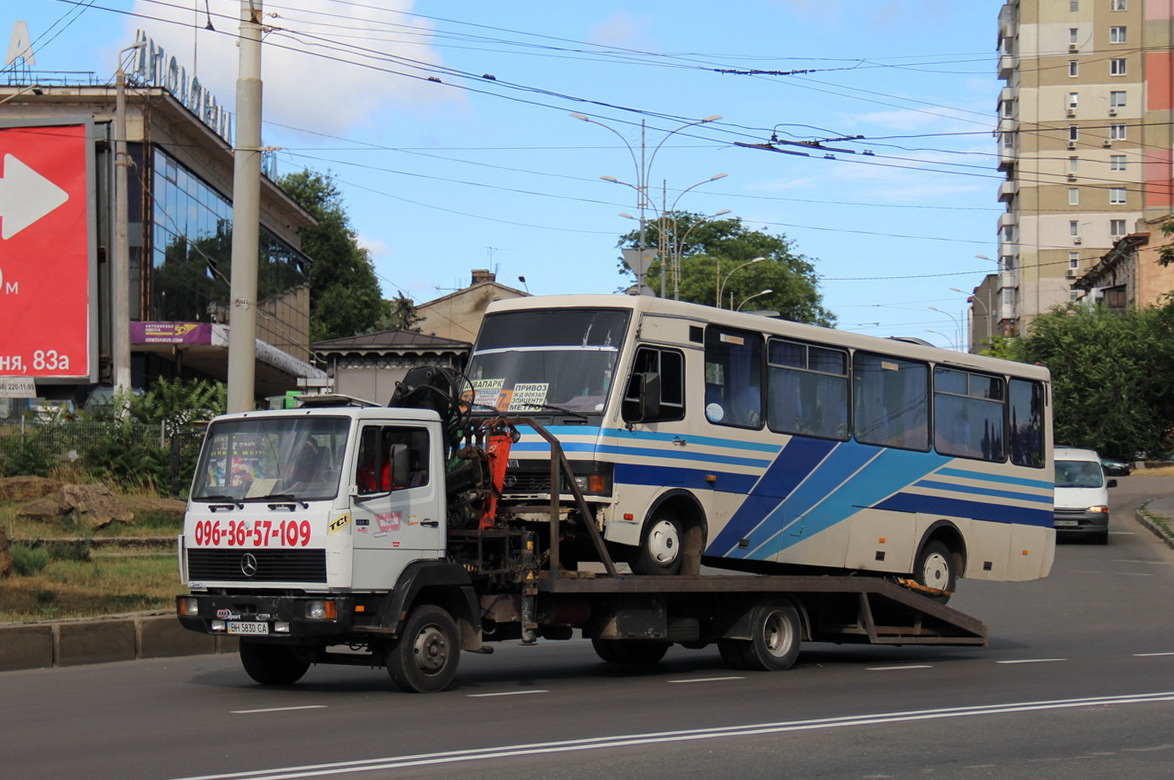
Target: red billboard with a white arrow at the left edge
[(46, 253)]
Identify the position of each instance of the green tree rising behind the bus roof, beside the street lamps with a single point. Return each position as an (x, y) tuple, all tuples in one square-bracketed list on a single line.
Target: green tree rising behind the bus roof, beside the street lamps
[(711, 253)]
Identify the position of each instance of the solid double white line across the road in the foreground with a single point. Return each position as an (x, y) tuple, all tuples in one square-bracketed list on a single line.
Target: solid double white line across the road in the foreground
[(687, 736)]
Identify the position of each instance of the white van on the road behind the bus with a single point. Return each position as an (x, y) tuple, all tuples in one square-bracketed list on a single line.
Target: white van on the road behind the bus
[(1082, 495)]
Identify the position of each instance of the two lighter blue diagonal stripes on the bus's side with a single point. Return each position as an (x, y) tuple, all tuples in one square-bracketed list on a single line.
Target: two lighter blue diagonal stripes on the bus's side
[(865, 478)]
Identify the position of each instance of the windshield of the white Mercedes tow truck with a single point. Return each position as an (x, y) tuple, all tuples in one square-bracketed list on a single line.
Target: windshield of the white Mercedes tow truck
[(295, 459)]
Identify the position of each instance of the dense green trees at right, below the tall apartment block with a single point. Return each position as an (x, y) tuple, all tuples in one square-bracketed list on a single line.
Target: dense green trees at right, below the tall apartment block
[(1112, 374)]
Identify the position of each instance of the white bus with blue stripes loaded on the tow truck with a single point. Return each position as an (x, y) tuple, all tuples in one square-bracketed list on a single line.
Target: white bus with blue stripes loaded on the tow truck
[(700, 436)]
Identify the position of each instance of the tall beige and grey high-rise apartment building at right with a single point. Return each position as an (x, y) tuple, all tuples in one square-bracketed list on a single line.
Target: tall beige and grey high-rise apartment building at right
[(1085, 140)]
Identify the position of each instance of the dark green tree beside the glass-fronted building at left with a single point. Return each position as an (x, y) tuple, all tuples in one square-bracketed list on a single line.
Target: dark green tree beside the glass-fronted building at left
[(346, 299)]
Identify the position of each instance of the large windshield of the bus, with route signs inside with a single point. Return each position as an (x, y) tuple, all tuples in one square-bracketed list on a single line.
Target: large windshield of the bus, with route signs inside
[(548, 360)]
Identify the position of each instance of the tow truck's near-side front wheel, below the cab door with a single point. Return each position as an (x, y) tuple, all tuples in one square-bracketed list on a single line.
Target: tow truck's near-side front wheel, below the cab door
[(424, 660)]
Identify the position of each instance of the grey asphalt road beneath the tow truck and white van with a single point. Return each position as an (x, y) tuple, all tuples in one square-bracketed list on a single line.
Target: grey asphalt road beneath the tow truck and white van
[(1078, 682)]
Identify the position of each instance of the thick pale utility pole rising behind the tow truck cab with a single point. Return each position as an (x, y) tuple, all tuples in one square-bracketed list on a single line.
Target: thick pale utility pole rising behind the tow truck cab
[(242, 347)]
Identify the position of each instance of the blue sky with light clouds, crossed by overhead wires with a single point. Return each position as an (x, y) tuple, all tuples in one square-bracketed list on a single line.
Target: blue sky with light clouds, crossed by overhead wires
[(448, 130)]
